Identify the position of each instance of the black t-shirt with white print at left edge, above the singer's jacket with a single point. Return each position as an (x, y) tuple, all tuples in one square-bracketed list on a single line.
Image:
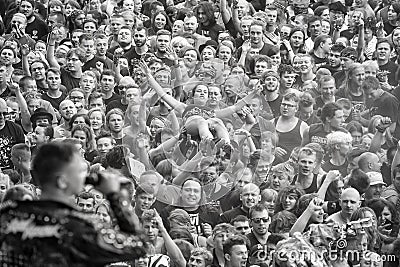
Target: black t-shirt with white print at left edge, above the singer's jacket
[(10, 135)]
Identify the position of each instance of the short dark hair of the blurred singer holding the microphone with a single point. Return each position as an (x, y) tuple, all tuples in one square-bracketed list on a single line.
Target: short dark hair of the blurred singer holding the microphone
[(50, 159)]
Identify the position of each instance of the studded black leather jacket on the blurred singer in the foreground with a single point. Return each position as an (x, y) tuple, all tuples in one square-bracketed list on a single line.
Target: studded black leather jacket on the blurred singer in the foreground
[(49, 233)]
